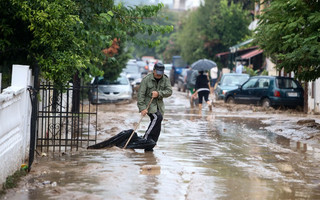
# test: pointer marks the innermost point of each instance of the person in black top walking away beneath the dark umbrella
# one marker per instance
(203, 89)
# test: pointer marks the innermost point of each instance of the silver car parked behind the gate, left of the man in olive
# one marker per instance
(106, 91)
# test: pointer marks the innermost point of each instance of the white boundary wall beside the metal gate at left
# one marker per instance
(15, 116)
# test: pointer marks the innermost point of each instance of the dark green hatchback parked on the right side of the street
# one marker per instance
(268, 91)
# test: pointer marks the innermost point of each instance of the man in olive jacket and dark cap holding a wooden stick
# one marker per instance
(155, 85)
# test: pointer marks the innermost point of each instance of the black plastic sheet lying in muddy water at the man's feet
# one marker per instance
(121, 139)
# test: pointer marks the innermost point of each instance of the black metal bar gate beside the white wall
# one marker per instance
(65, 120)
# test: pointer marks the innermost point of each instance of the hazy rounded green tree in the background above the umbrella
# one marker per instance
(211, 29)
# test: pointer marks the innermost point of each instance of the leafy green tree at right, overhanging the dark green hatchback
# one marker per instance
(289, 31)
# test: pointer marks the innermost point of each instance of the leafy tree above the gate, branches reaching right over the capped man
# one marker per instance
(67, 36)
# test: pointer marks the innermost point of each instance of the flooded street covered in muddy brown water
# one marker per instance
(199, 155)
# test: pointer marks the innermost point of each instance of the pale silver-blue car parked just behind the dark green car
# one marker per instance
(229, 82)
